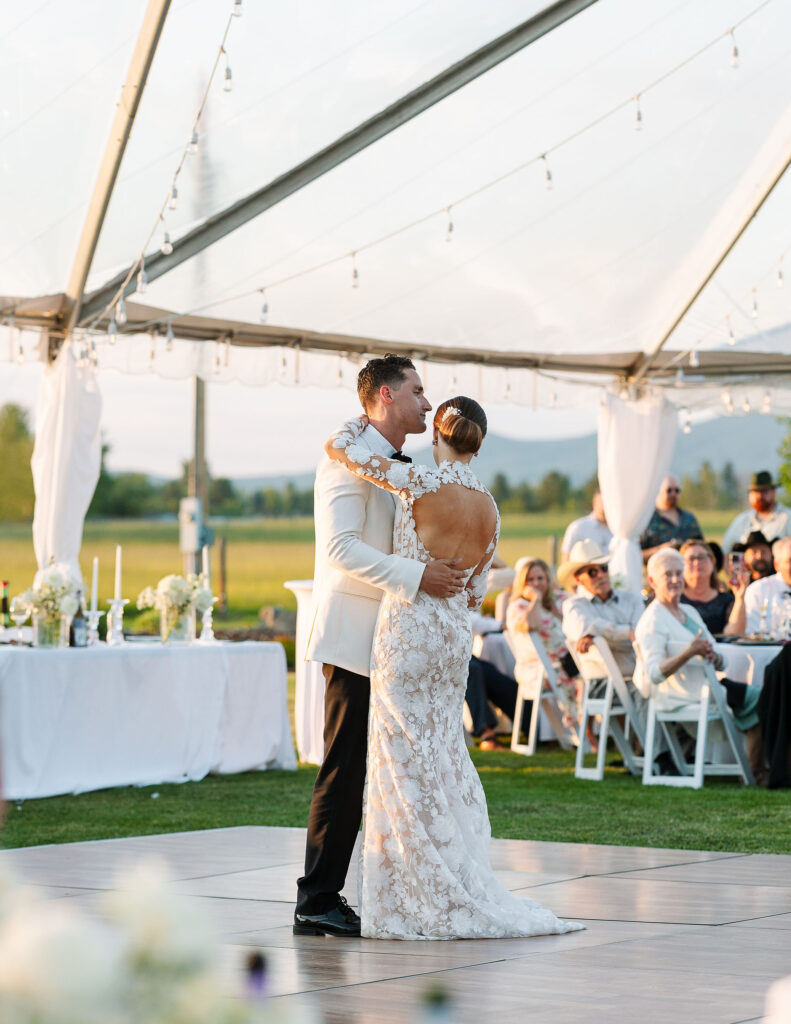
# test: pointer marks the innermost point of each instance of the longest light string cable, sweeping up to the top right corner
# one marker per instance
(442, 211)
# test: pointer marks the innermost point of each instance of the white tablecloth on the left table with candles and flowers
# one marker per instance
(139, 715)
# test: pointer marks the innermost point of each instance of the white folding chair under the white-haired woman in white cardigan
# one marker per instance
(713, 708)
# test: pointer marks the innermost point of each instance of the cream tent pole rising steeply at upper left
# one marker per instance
(127, 112)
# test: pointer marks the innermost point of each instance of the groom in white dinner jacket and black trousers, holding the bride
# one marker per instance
(354, 567)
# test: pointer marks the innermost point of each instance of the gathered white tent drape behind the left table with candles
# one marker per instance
(66, 460)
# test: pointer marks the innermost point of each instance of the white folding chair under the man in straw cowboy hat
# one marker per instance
(614, 703)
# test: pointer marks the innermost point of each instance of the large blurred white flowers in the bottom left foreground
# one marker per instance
(146, 956)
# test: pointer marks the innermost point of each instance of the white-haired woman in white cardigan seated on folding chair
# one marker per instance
(675, 645)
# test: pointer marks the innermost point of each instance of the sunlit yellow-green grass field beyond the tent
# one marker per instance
(262, 554)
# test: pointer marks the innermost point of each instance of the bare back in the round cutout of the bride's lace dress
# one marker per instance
(455, 523)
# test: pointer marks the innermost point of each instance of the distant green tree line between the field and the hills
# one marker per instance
(136, 495)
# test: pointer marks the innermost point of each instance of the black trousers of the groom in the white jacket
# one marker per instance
(337, 808)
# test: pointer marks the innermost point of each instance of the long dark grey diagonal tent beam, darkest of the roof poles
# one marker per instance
(404, 110)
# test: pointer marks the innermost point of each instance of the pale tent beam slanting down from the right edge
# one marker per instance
(767, 170)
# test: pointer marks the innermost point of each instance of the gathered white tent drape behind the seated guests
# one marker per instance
(636, 446)
